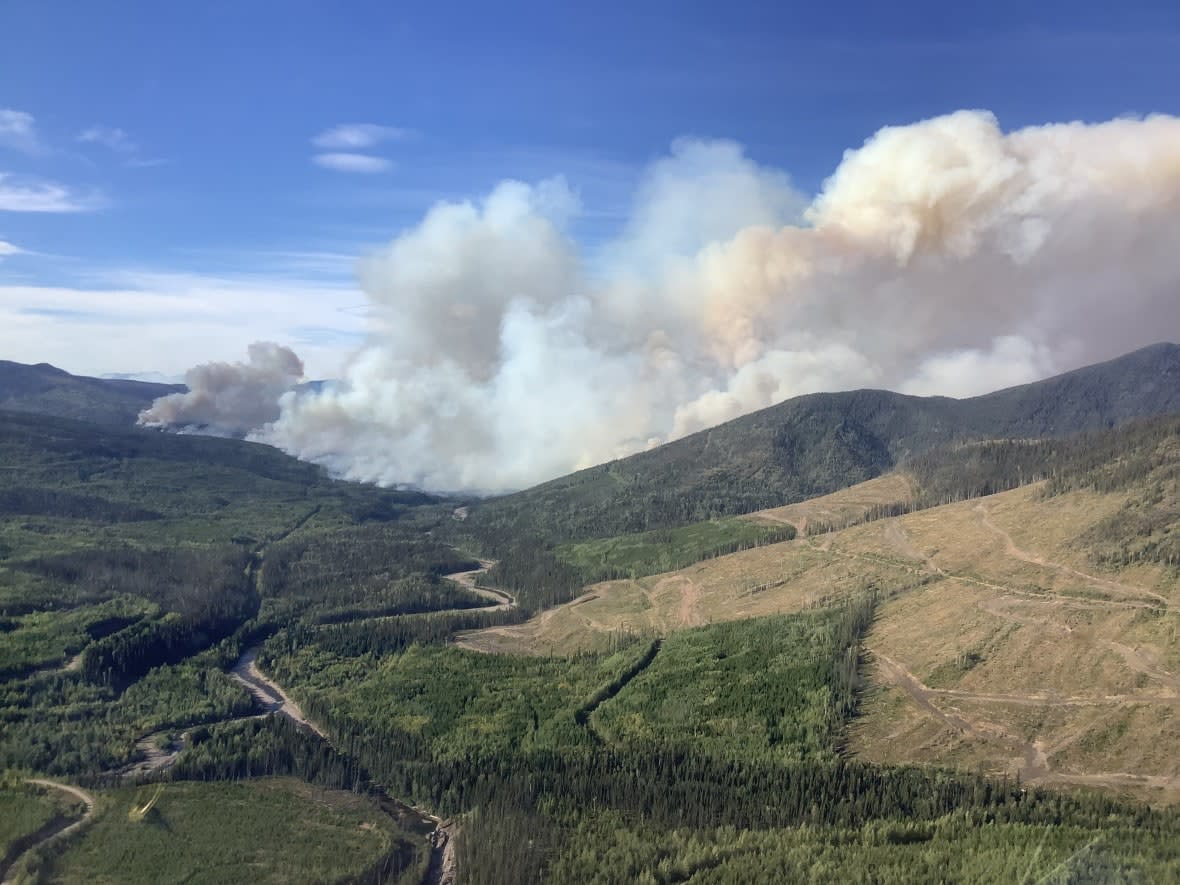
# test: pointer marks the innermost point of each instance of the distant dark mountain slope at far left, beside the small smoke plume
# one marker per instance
(47, 390)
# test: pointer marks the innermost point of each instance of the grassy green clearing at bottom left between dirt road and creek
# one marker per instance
(278, 831)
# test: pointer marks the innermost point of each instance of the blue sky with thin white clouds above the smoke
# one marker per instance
(158, 156)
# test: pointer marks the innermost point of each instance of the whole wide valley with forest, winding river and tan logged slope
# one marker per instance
(965, 663)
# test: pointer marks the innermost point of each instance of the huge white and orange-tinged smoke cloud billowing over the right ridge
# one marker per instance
(941, 258)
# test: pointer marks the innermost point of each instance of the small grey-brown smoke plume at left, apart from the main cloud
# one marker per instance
(231, 398)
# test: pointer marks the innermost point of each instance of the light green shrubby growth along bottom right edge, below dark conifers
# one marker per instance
(609, 849)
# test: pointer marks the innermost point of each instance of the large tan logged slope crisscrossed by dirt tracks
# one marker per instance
(999, 645)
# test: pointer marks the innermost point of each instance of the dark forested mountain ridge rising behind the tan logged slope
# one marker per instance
(816, 444)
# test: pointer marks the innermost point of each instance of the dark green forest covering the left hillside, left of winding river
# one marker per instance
(136, 567)
